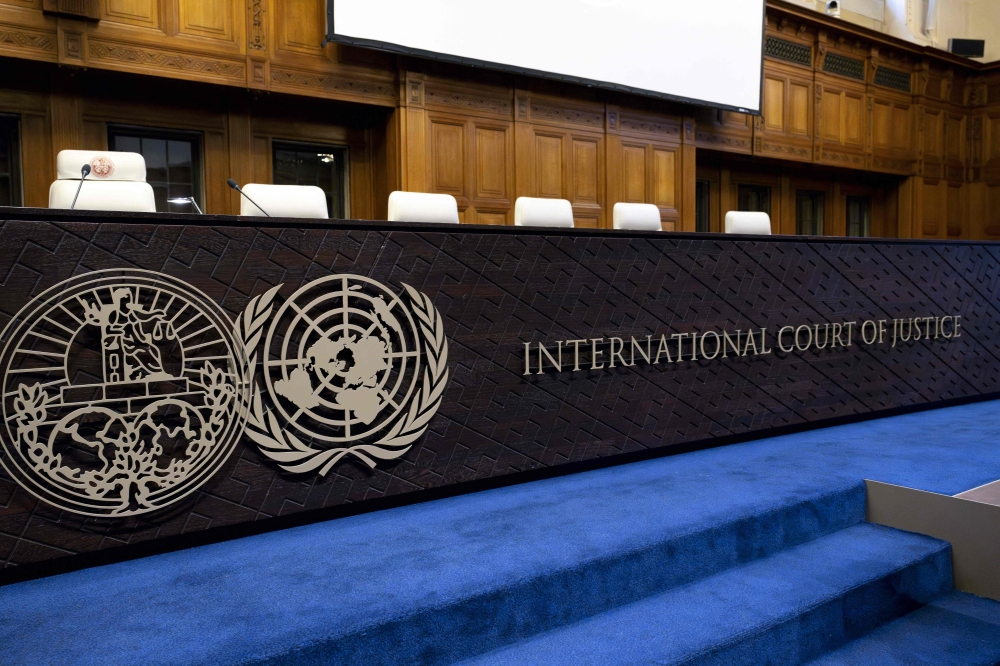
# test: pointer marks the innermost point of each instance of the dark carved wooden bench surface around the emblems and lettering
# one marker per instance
(496, 291)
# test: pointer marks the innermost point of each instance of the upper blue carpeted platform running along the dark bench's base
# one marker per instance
(446, 580)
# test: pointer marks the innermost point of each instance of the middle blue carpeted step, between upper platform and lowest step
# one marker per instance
(785, 609)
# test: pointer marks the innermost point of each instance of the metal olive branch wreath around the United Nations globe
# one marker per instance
(291, 454)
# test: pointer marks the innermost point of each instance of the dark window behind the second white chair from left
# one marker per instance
(322, 166)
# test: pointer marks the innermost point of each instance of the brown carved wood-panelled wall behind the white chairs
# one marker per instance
(847, 112)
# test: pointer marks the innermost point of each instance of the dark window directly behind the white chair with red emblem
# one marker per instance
(173, 163)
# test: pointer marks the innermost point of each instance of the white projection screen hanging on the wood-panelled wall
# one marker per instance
(702, 51)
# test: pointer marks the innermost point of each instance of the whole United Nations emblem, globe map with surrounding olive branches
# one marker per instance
(351, 369)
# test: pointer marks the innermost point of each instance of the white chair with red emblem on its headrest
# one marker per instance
(117, 181)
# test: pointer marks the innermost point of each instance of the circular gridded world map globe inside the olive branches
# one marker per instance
(343, 358)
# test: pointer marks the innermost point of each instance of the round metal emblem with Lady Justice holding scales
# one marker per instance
(124, 391)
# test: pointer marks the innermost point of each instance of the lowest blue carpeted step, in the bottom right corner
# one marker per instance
(956, 630)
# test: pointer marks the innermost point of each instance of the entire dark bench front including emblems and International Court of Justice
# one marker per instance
(170, 379)
